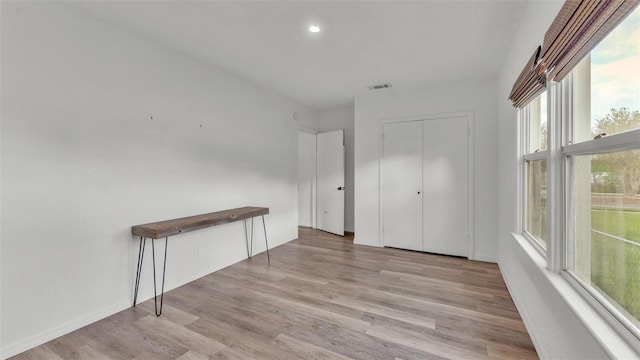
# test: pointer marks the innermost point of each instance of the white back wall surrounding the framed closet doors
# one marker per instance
(477, 96)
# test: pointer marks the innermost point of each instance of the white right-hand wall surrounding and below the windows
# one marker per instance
(560, 323)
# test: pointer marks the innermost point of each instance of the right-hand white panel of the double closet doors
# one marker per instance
(445, 186)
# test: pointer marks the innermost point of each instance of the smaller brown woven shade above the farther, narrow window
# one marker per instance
(531, 82)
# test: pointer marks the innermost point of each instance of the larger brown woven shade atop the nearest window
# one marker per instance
(578, 28)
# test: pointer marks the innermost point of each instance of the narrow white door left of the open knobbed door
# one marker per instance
(306, 178)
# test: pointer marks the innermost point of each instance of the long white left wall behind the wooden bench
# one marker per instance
(83, 160)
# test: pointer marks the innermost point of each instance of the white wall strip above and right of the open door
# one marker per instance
(337, 119)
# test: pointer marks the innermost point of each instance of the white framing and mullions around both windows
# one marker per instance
(559, 154)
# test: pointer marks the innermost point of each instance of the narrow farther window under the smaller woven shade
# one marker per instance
(535, 145)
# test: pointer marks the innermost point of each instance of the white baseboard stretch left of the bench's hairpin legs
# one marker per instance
(48, 335)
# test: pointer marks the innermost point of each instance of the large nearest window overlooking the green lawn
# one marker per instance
(603, 163)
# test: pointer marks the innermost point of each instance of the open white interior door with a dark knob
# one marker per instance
(330, 180)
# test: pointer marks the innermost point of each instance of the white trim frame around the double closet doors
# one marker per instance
(470, 158)
